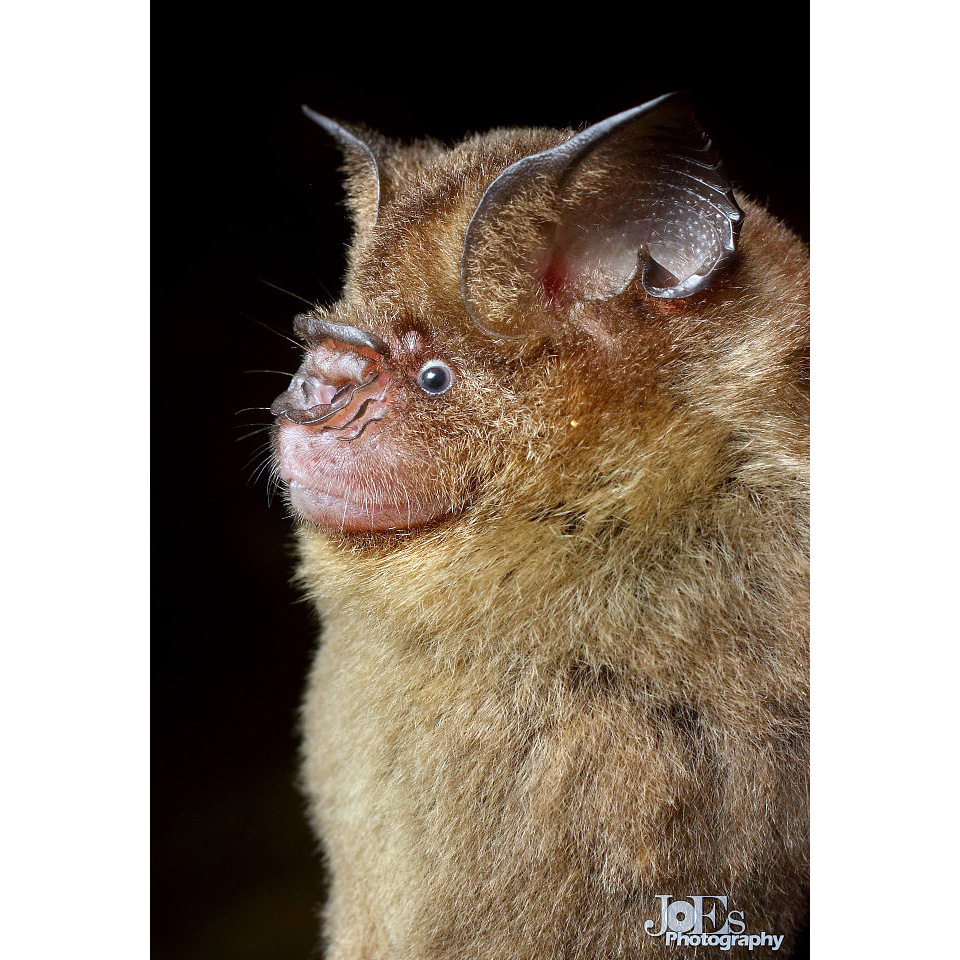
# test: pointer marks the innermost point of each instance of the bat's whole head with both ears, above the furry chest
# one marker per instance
(534, 323)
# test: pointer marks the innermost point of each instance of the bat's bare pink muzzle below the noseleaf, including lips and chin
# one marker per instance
(368, 484)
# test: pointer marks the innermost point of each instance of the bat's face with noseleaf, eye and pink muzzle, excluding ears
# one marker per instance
(371, 435)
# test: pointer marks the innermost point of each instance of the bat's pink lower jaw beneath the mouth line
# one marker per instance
(341, 514)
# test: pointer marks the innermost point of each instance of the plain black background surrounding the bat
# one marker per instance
(245, 194)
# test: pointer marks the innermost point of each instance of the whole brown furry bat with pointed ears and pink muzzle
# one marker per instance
(548, 460)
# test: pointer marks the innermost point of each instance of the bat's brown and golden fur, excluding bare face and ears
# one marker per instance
(587, 685)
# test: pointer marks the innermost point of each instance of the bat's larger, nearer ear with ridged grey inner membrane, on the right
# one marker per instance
(643, 188)
